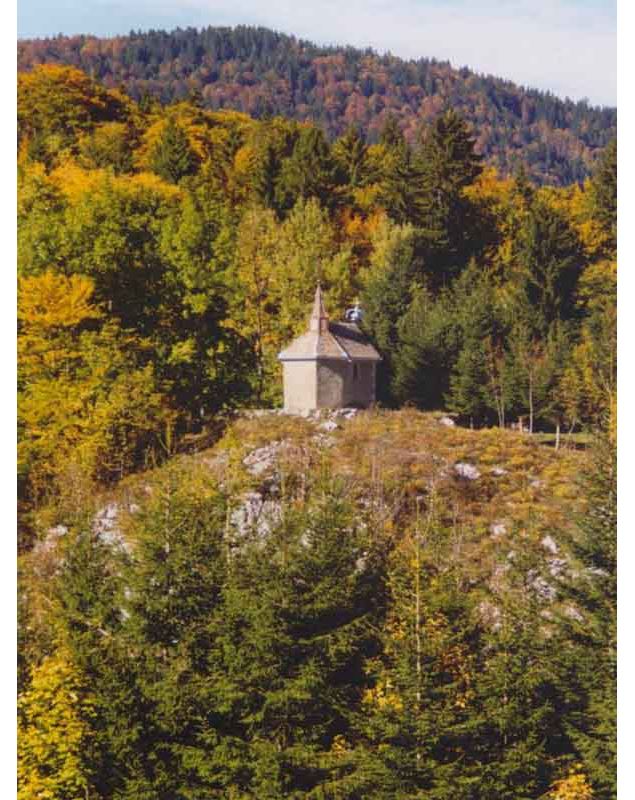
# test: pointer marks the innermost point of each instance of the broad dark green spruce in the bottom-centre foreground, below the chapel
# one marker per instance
(298, 621)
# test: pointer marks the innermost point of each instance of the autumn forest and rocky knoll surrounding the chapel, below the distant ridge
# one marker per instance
(428, 610)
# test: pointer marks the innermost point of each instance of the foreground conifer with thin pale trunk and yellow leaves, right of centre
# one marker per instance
(416, 730)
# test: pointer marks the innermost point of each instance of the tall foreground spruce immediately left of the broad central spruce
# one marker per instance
(173, 586)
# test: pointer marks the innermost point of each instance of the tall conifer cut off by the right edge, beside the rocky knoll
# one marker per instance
(587, 662)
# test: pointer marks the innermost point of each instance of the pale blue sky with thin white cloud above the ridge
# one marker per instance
(565, 46)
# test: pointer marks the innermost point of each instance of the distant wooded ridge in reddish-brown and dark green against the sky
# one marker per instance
(263, 74)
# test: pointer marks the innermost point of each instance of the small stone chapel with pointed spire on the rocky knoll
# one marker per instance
(332, 365)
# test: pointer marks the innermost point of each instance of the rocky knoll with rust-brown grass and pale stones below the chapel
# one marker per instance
(495, 489)
